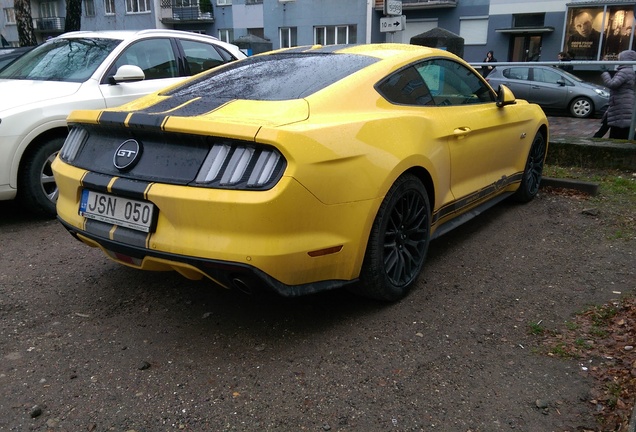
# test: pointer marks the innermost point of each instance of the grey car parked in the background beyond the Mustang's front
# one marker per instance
(553, 89)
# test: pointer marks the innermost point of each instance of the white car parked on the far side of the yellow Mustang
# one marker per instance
(84, 70)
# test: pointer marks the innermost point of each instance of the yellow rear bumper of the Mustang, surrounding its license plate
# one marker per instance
(284, 237)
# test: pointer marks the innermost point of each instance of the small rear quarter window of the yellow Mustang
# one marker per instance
(406, 87)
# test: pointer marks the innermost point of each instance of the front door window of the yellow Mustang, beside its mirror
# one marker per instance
(451, 83)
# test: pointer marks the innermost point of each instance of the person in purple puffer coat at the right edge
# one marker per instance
(621, 103)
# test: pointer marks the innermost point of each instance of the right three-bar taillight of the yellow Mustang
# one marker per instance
(237, 166)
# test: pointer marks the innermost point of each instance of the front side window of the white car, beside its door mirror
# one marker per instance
(154, 56)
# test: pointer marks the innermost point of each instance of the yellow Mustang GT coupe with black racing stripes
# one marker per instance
(300, 170)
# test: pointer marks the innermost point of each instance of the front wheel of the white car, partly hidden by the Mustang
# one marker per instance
(37, 189)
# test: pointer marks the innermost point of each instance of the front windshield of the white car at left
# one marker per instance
(69, 60)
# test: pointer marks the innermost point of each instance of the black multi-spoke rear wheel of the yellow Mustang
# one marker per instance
(398, 242)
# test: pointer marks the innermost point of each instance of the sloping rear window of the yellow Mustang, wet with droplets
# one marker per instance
(274, 77)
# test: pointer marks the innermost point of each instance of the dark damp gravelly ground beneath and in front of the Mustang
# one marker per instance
(87, 345)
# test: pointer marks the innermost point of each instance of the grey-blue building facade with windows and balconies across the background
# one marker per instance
(516, 30)
